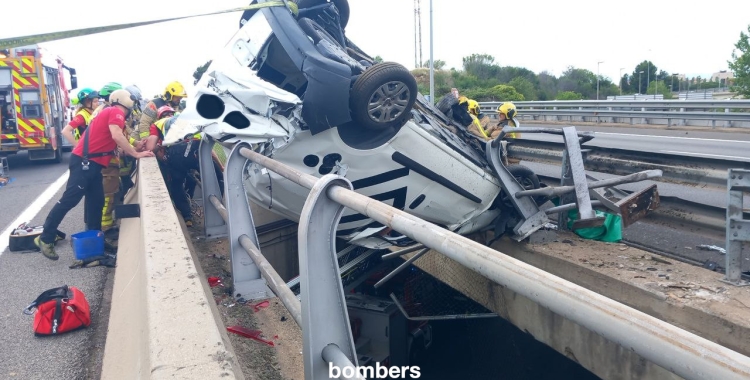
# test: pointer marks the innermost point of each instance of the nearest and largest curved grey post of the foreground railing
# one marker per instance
(325, 319)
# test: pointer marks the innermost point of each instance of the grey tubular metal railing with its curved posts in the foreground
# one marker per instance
(322, 313)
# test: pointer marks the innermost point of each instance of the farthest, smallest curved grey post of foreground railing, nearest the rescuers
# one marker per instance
(213, 224)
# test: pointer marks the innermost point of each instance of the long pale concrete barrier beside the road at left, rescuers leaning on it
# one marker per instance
(162, 323)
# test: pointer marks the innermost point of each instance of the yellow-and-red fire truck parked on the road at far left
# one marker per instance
(34, 103)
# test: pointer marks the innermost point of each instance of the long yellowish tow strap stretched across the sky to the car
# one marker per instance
(6, 43)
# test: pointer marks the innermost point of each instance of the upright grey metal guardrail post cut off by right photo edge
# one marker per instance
(738, 229)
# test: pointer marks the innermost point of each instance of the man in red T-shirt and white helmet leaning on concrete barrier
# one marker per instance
(99, 141)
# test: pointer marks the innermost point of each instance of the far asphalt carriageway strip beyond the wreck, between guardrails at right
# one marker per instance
(701, 144)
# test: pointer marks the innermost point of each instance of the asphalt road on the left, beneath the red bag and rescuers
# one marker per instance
(23, 276)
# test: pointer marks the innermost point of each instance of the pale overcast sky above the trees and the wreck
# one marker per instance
(693, 38)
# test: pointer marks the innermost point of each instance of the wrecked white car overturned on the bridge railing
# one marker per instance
(301, 92)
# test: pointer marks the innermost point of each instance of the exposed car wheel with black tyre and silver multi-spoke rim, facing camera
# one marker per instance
(383, 96)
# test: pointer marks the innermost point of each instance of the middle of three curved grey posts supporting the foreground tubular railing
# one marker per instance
(246, 279)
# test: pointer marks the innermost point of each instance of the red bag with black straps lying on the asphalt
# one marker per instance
(59, 310)
